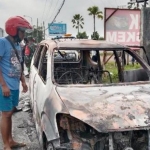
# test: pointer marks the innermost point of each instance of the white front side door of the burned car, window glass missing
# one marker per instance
(41, 91)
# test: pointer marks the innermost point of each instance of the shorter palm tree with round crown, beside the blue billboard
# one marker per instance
(78, 22)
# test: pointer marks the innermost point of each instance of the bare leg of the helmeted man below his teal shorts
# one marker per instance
(6, 125)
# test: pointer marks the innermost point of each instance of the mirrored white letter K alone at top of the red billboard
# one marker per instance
(134, 23)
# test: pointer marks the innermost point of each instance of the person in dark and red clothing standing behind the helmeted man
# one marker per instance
(29, 51)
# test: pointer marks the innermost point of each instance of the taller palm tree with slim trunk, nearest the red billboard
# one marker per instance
(95, 12)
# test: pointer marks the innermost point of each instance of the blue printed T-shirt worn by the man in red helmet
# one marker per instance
(9, 64)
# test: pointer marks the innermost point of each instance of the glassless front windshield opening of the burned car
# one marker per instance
(91, 67)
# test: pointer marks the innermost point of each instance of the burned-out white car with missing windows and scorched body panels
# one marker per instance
(76, 108)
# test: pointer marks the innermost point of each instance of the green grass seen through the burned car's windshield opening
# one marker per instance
(114, 71)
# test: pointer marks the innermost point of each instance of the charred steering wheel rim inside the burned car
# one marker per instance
(71, 77)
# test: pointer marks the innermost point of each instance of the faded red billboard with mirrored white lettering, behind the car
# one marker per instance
(122, 26)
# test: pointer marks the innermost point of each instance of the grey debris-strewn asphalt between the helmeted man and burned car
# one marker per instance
(23, 126)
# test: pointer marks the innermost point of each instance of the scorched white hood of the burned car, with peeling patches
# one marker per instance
(109, 108)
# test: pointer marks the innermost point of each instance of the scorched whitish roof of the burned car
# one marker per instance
(84, 44)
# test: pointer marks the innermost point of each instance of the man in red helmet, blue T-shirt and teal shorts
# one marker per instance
(10, 76)
